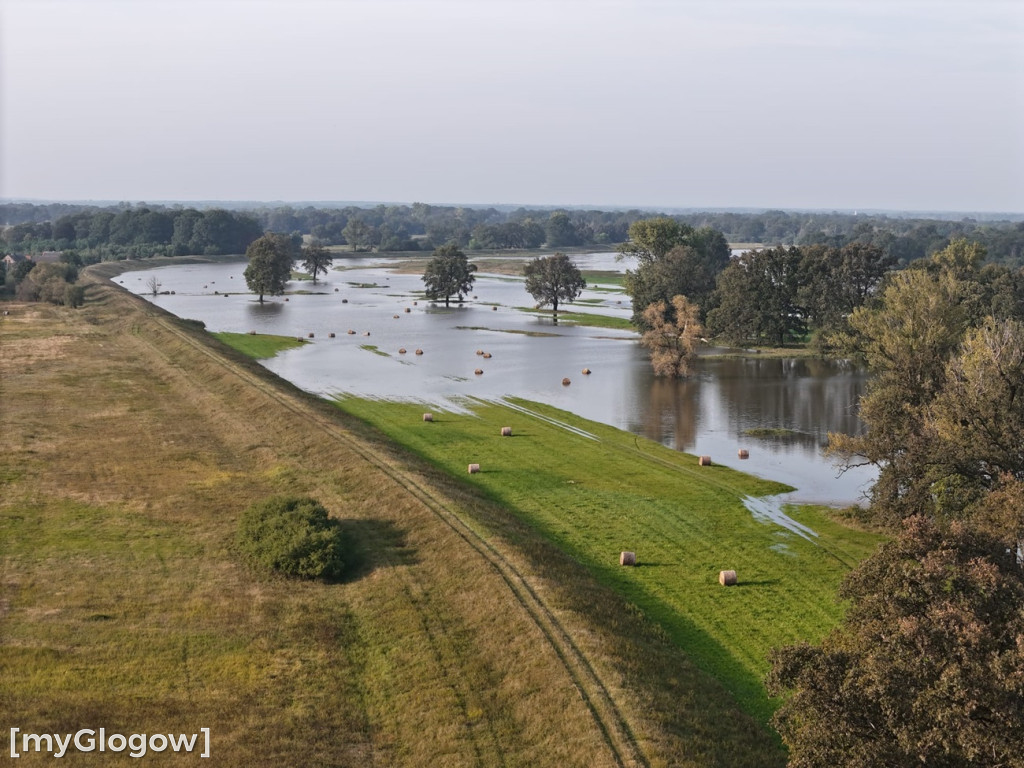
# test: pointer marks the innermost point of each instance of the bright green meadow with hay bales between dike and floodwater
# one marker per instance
(595, 491)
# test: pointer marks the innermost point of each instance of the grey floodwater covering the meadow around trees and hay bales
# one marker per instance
(707, 414)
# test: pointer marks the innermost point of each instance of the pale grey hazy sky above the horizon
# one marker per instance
(816, 104)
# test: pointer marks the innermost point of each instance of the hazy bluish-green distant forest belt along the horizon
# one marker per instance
(126, 231)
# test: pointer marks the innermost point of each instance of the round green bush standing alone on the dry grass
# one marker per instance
(292, 536)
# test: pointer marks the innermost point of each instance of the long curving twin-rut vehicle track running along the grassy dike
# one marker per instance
(609, 718)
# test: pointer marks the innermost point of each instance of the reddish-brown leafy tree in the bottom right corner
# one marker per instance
(928, 666)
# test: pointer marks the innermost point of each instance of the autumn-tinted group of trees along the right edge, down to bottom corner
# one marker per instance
(928, 666)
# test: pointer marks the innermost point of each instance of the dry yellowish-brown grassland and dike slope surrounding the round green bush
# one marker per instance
(461, 637)
